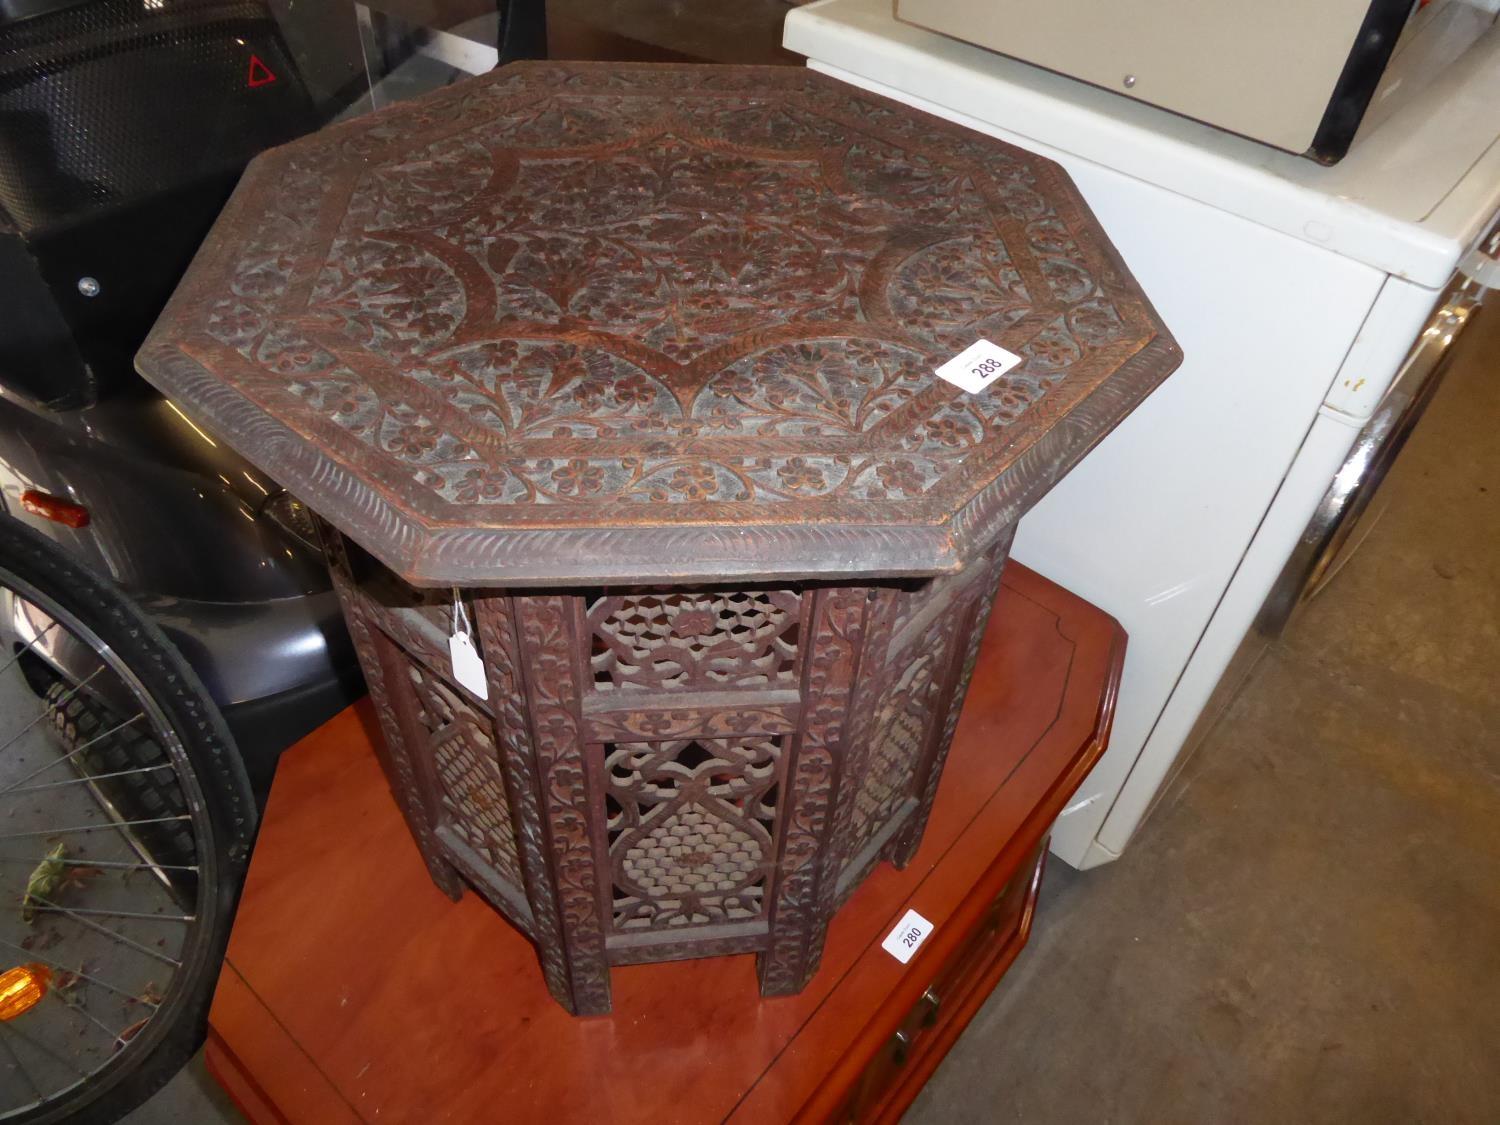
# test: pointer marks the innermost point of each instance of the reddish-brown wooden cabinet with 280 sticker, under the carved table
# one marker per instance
(356, 992)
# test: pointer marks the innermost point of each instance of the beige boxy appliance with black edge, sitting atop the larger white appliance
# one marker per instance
(1216, 59)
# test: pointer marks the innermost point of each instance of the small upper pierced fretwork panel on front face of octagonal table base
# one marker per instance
(695, 641)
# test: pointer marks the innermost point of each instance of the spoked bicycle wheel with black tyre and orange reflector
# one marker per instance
(125, 827)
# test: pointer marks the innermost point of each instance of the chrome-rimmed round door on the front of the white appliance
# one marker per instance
(1345, 515)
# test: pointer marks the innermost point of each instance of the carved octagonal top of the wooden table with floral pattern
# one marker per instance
(598, 322)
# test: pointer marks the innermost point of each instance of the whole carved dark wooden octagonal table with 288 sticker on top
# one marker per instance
(635, 367)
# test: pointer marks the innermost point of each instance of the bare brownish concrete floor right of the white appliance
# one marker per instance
(1309, 928)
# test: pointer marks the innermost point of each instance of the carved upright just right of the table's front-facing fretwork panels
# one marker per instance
(799, 913)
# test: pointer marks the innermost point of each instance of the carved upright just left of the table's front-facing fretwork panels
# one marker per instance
(553, 671)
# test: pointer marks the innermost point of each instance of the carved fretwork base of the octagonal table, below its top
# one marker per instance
(670, 773)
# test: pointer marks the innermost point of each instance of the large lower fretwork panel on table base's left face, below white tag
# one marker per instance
(467, 772)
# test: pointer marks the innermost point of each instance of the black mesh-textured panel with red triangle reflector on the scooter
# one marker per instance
(113, 101)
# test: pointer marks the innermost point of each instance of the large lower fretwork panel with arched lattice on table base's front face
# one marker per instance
(692, 830)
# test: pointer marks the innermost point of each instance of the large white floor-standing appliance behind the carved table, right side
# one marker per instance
(1297, 293)
